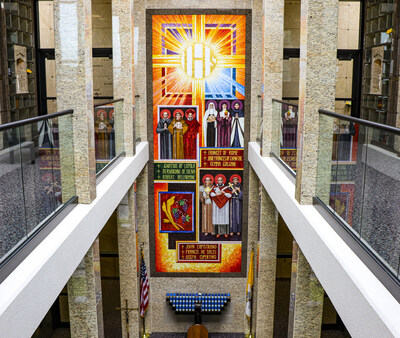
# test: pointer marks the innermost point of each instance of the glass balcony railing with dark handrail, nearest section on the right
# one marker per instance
(359, 183)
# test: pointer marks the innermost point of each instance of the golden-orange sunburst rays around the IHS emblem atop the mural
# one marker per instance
(176, 35)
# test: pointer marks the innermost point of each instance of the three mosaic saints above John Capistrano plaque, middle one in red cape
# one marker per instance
(221, 205)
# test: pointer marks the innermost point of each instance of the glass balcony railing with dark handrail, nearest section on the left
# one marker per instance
(33, 188)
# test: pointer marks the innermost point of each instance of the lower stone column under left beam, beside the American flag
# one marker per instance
(127, 252)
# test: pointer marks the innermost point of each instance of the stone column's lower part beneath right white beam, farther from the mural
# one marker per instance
(308, 301)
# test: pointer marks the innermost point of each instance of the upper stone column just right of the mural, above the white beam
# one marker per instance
(272, 65)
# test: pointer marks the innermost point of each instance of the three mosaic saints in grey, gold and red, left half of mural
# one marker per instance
(178, 137)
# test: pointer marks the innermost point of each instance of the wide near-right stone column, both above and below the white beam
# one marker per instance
(318, 60)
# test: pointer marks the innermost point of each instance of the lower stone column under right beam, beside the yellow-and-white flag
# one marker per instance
(267, 266)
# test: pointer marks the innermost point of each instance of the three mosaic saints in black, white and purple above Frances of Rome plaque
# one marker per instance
(224, 128)
